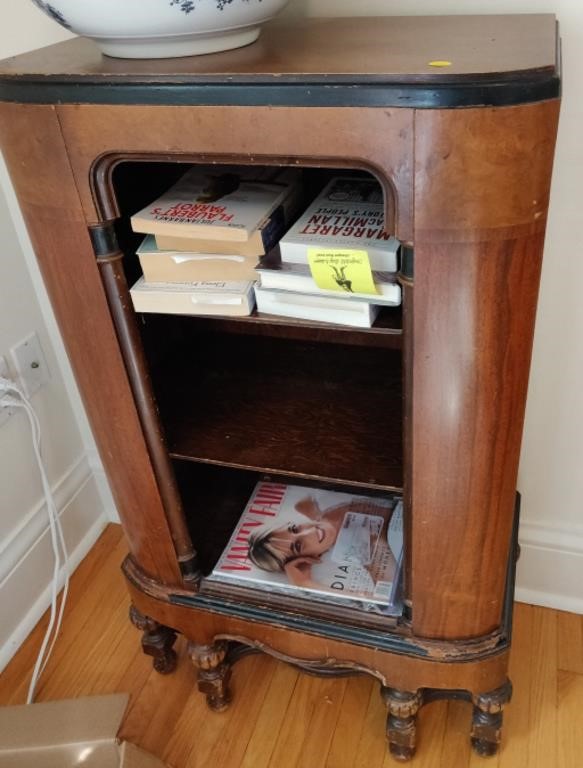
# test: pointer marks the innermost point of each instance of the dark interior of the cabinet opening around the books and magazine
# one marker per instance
(240, 399)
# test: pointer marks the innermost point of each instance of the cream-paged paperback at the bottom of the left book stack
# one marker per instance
(200, 298)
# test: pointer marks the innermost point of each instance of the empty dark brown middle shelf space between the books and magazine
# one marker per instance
(245, 402)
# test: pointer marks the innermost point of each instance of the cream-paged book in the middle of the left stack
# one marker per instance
(182, 267)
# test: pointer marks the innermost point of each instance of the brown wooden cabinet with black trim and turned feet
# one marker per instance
(189, 412)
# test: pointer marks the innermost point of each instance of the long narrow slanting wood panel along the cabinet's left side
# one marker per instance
(39, 168)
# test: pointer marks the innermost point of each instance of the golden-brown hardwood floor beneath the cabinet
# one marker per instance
(282, 719)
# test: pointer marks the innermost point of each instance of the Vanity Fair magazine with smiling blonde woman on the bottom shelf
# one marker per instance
(319, 544)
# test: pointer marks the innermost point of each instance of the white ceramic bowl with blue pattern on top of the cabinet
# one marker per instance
(154, 29)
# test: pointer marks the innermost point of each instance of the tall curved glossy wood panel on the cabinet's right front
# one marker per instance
(473, 338)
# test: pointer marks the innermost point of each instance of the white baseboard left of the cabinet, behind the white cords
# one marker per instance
(26, 557)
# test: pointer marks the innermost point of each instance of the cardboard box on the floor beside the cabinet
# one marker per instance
(69, 733)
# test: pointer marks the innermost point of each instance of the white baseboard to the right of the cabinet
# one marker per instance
(550, 568)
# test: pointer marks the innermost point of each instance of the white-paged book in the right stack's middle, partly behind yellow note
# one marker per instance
(277, 275)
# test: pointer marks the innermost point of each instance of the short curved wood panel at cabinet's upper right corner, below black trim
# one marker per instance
(483, 175)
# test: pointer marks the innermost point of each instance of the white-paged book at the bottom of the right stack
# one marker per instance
(325, 309)
